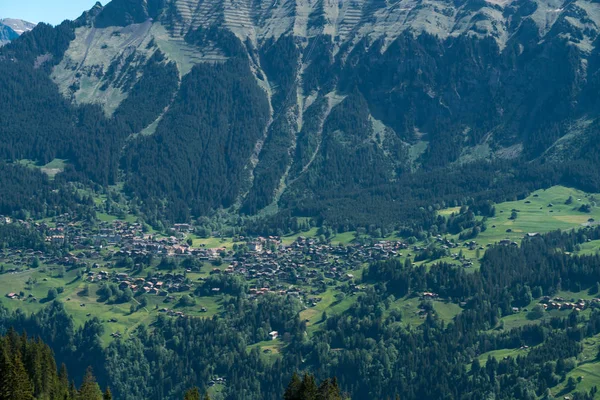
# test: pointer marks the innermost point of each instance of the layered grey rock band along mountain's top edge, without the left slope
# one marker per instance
(352, 20)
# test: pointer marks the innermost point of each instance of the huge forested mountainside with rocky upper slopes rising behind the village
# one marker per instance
(331, 109)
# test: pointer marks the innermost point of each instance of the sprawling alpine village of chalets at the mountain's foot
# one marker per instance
(121, 254)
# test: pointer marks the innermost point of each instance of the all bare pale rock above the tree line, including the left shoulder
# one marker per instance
(120, 33)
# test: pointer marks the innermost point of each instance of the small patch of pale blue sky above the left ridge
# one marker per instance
(50, 11)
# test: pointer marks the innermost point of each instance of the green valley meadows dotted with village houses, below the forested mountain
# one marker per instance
(125, 275)
